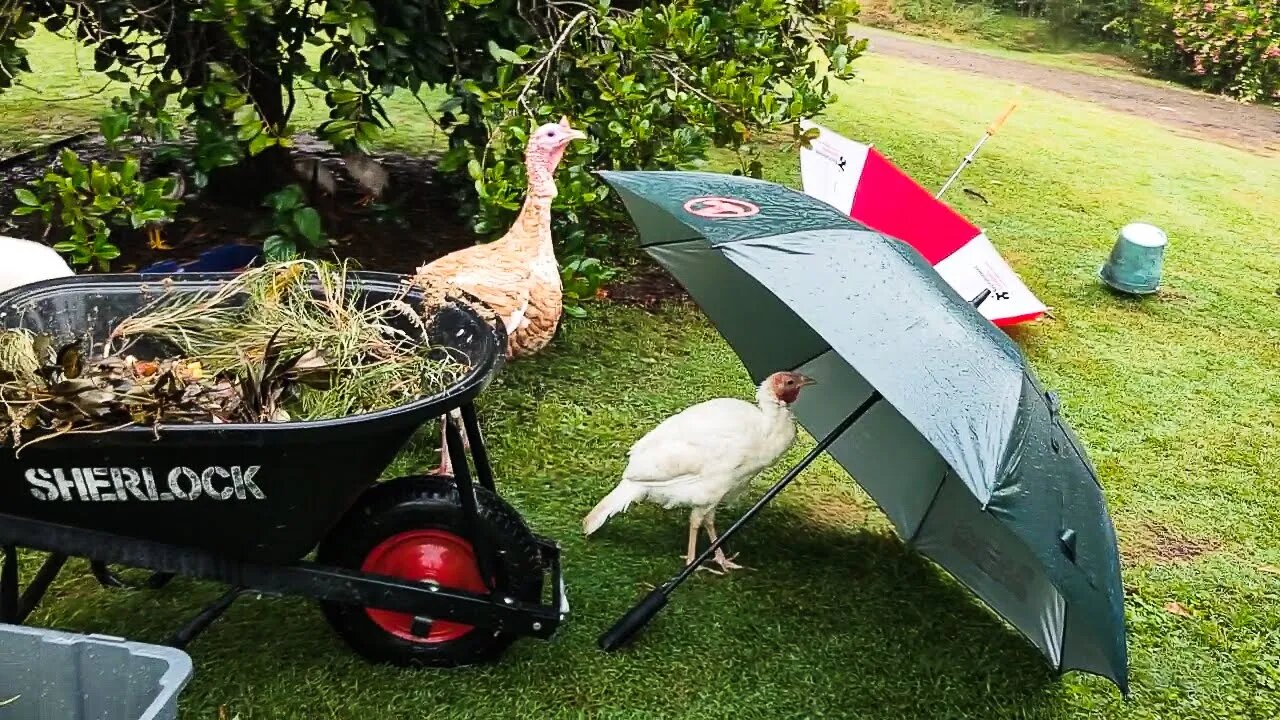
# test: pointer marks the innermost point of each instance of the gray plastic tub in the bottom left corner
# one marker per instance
(56, 676)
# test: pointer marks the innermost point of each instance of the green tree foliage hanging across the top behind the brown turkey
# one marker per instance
(657, 84)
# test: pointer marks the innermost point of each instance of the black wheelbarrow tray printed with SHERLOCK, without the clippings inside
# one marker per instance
(262, 493)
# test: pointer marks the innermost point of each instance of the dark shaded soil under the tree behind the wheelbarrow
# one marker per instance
(415, 222)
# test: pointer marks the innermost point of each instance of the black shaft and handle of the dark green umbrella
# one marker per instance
(647, 609)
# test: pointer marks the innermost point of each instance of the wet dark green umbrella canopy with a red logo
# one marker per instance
(963, 449)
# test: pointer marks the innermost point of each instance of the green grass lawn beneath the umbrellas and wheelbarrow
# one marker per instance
(1177, 399)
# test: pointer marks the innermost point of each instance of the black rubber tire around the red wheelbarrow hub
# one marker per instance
(429, 503)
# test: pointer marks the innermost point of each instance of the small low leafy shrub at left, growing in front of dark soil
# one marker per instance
(83, 204)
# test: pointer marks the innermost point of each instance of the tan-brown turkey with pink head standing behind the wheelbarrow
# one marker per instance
(518, 276)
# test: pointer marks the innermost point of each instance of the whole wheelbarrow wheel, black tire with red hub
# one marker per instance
(415, 528)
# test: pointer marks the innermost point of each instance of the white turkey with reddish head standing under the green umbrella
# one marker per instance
(707, 455)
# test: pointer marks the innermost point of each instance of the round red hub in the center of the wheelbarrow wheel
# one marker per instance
(440, 557)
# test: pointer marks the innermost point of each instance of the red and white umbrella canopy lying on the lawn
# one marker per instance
(860, 181)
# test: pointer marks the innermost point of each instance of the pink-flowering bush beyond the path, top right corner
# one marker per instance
(1229, 47)
